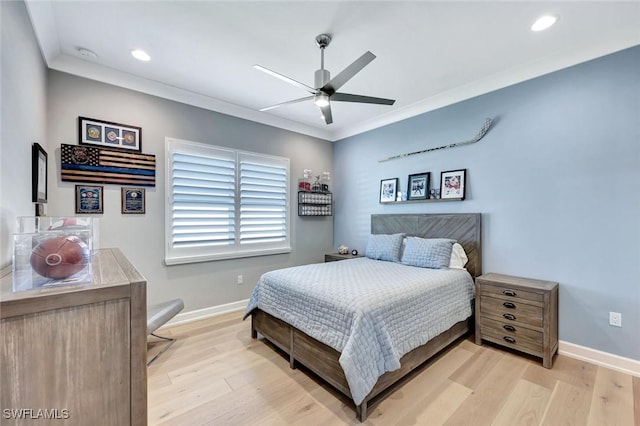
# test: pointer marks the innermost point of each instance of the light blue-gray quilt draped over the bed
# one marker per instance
(371, 311)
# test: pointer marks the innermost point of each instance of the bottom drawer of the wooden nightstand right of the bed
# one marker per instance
(514, 336)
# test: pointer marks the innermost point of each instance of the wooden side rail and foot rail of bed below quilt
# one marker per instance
(324, 360)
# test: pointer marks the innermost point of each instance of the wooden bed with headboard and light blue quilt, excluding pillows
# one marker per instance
(360, 352)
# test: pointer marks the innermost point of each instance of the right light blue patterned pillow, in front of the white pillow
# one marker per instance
(432, 253)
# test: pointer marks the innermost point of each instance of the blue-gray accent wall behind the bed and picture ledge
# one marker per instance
(557, 180)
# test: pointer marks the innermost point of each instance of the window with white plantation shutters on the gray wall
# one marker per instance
(224, 203)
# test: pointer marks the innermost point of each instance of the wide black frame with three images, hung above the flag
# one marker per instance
(110, 135)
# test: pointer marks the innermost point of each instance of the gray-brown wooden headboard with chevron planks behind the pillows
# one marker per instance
(462, 227)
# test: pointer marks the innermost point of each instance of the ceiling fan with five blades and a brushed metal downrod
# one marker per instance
(326, 88)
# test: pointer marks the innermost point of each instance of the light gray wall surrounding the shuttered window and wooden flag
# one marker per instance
(141, 237)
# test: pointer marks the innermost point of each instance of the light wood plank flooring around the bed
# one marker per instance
(215, 374)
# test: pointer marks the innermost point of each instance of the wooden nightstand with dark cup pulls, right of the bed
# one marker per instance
(519, 313)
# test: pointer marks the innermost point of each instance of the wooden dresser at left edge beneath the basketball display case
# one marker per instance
(78, 352)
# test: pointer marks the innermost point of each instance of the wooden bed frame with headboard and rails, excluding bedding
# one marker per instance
(323, 360)
